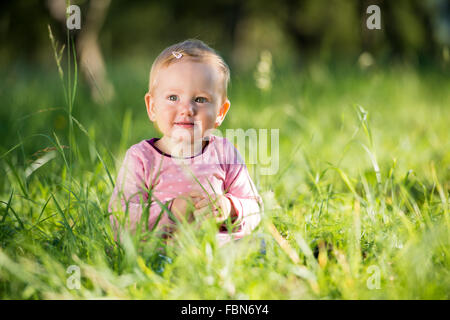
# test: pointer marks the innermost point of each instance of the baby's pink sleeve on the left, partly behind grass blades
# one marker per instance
(131, 193)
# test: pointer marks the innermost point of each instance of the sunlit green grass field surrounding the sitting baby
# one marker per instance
(359, 208)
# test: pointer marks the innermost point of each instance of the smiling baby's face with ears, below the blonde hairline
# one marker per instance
(187, 100)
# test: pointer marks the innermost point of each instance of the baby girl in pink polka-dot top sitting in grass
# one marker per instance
(189, 173)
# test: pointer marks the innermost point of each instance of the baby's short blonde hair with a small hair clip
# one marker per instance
(193, 49)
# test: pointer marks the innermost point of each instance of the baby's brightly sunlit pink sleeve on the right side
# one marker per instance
(244, 197)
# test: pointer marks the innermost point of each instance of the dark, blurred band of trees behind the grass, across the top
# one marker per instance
(291, 29)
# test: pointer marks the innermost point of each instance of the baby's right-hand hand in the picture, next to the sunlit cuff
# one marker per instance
(219, 204)
